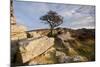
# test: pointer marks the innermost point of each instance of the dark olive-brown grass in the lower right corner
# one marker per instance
(87, 49)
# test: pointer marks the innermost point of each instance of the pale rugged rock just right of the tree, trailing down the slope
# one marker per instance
(67, 41)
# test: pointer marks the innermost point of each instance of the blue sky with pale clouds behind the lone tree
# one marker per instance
(75, 16)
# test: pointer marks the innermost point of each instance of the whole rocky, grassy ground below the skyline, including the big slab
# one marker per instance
(66, 46)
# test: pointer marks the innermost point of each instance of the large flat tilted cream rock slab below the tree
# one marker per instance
(35, 47)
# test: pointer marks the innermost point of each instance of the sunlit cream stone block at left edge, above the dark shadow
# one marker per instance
(18, 32)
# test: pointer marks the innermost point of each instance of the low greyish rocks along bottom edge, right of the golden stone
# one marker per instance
(63, 58)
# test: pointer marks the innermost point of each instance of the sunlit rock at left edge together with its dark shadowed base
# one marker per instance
(17, 33)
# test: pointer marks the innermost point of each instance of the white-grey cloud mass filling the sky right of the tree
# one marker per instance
(79, 17)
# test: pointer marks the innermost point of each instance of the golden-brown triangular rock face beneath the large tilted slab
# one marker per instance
(47, 57)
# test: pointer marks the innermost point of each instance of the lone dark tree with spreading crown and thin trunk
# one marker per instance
(53, 19)
